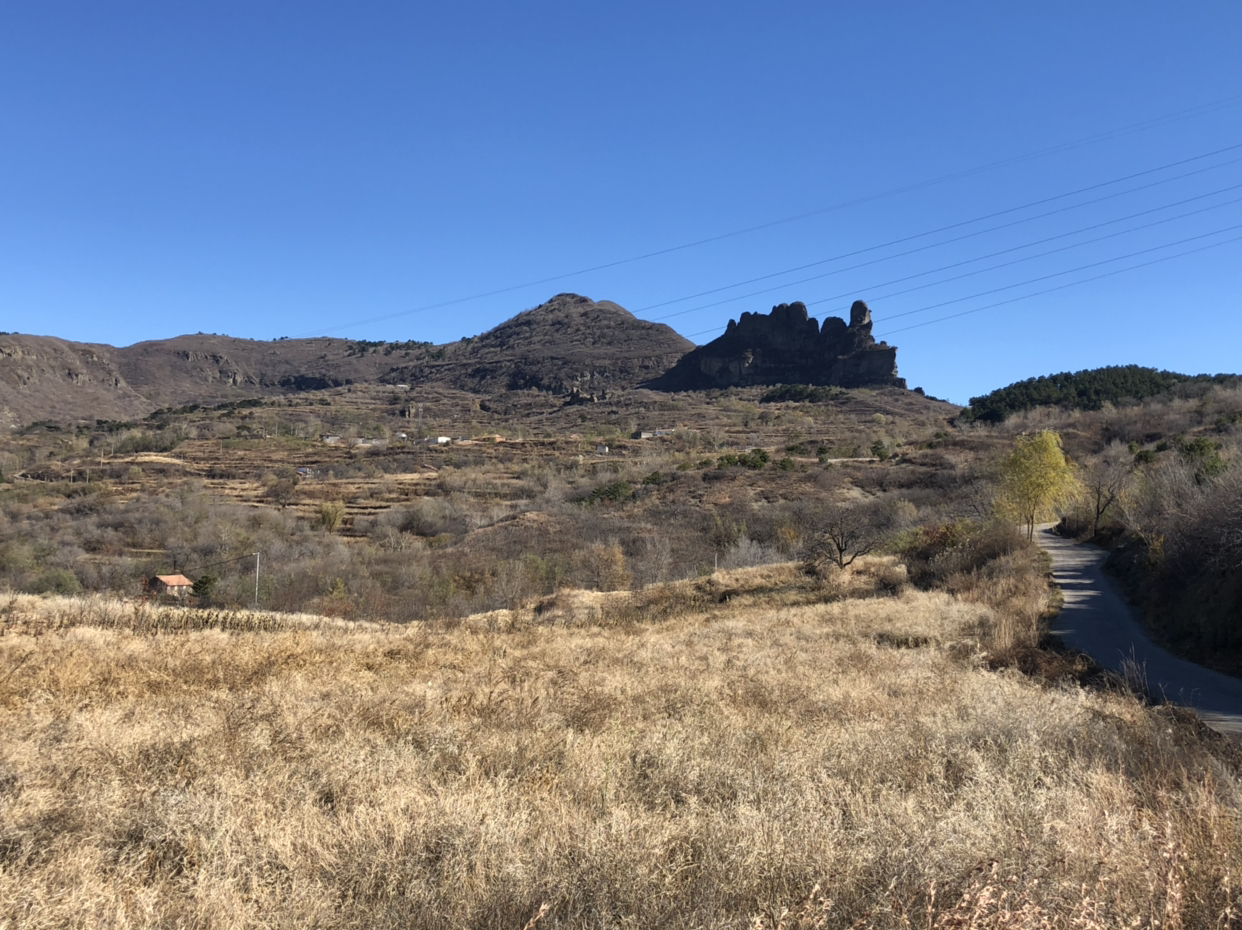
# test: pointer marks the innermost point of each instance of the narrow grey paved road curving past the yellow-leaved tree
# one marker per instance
(1099, 621)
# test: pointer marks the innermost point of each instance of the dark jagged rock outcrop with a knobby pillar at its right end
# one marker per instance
(789, 347)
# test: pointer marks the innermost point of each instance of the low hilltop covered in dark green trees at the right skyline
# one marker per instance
(1089, 389)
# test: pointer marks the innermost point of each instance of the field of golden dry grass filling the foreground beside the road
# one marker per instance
(807, 764)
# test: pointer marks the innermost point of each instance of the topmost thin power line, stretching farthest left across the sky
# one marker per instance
(1224, 104)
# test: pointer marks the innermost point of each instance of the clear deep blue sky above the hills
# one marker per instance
(268, 169)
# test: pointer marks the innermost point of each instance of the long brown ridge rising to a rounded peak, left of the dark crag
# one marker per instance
(568, 346)
